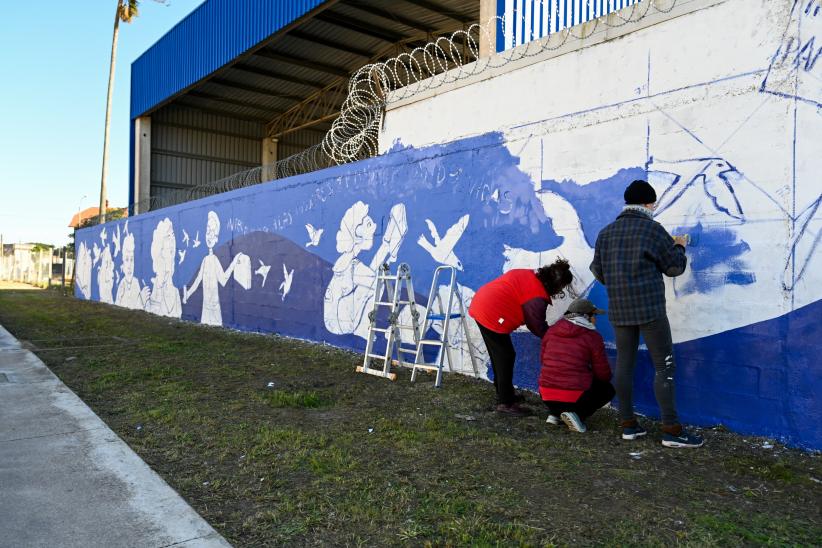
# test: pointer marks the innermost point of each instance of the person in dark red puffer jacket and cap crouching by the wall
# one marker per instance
(575, 378)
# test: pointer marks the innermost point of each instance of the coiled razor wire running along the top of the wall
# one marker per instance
(354, 134)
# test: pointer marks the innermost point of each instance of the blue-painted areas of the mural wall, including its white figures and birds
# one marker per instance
(266, 267)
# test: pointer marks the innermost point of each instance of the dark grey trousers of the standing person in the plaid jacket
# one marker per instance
(657, 335)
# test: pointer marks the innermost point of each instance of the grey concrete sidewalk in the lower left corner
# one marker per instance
(67, 480)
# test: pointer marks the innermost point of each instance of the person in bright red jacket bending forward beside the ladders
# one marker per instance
(518, 297)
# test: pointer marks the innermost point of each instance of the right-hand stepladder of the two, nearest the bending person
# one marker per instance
(444, 314)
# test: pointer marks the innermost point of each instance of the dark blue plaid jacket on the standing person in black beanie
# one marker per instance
(630, 258)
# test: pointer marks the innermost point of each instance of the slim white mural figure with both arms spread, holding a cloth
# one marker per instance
(211, 274)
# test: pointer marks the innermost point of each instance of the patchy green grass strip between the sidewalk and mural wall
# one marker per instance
(326, 456)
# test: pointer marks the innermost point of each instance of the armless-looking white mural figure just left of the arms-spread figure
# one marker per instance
(163, 298)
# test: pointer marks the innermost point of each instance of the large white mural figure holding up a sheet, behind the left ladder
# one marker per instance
(350, 293)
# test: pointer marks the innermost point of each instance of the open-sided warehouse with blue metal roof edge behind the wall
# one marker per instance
(242, 83)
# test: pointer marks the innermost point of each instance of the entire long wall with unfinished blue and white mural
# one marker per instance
(731, 145)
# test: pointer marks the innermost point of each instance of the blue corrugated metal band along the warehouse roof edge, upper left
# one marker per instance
(209, 37)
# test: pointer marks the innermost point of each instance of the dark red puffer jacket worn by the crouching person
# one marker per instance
(571, 357)
